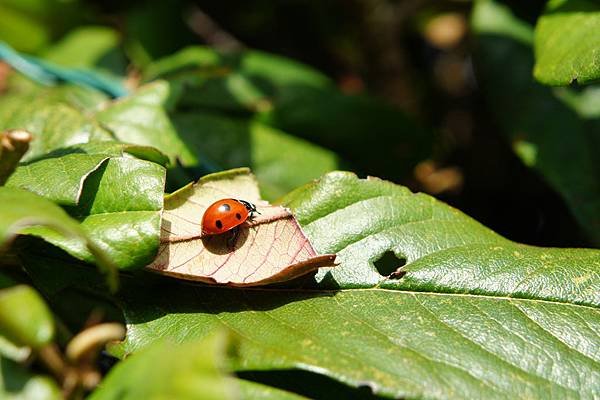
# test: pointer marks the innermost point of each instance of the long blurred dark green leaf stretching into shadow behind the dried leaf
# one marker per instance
(298, 100)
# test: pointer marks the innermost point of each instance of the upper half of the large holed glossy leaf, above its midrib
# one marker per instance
(443, 249)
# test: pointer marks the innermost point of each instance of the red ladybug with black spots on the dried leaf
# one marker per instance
(226, 214)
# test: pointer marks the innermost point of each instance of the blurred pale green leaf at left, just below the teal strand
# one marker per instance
(67, 115)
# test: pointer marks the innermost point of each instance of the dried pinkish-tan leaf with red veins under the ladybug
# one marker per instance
(271, 248)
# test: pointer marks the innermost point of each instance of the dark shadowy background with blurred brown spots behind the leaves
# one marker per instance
(399, 51)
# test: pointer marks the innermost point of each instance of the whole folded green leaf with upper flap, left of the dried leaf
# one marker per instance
(117, 198)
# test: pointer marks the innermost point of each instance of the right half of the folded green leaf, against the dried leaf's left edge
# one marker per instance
(120, 210)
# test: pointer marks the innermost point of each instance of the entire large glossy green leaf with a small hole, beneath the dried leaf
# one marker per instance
(474, 315)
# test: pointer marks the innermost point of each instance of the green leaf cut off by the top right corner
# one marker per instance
(567, 38)
